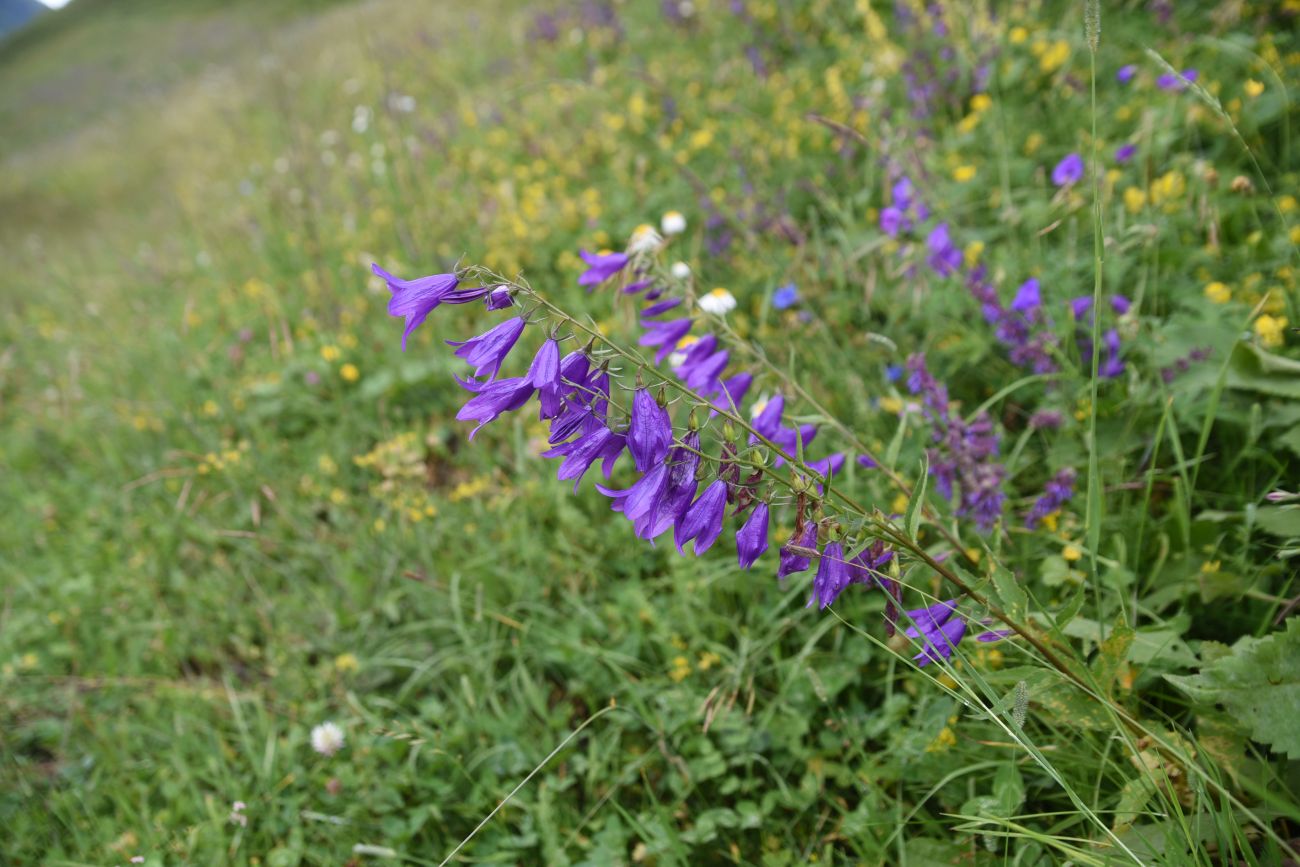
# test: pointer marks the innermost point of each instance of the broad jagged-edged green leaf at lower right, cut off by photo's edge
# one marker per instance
(1259, 686)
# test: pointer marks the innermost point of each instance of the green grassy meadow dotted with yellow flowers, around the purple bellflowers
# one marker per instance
(197, 569)
